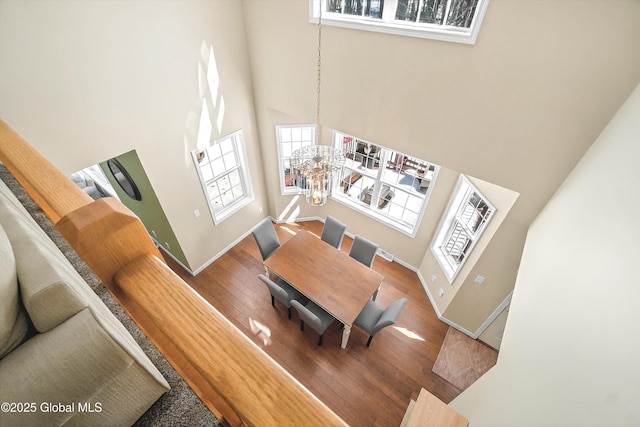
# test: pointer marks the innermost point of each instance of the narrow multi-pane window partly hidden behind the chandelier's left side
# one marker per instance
(289, 139)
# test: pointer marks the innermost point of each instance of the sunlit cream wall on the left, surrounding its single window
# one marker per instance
(85, 81)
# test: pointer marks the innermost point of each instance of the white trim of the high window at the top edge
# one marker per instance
(409, 29)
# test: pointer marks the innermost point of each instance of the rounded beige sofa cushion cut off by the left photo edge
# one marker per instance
(14, 324)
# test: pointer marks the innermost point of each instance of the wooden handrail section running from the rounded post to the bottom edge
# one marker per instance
(260, 393)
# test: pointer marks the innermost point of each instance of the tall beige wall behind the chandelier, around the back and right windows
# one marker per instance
(516, 110)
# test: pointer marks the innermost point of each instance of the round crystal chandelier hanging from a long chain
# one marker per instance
(314, 166)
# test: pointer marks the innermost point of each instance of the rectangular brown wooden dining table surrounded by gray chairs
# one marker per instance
(332, 279)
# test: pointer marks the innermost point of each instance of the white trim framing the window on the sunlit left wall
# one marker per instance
(226, 212)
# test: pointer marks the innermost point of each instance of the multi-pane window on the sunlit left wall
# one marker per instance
(223, 173)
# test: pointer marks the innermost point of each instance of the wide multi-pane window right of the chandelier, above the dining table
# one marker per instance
(383, 183)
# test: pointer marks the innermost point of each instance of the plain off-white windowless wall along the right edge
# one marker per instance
(569, 356)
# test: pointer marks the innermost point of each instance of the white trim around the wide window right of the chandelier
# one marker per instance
(337, 195)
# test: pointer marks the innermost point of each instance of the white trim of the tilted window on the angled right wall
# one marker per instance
(452, 271)
